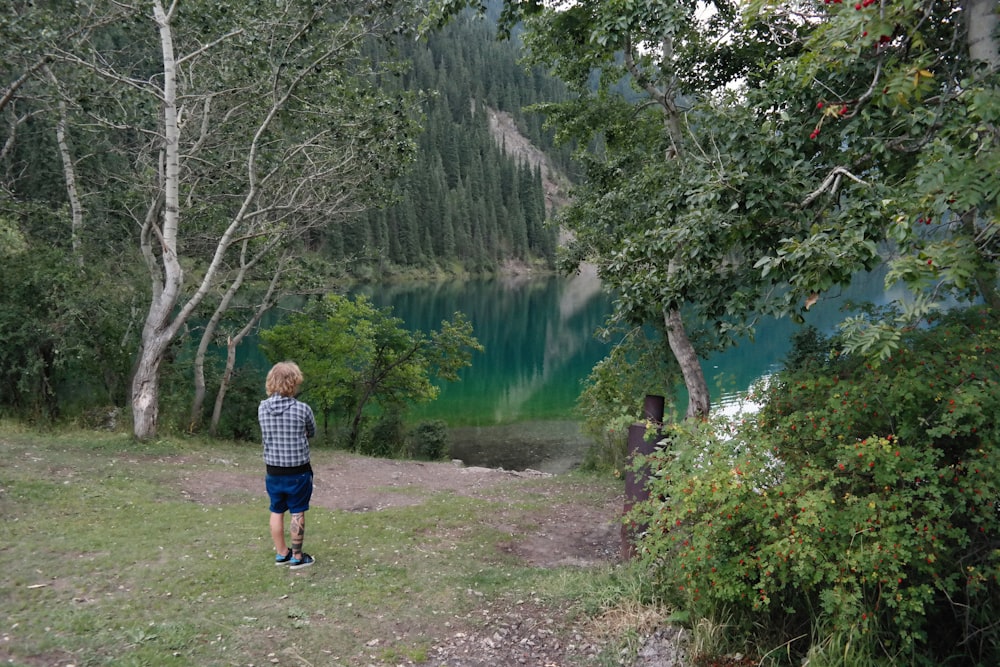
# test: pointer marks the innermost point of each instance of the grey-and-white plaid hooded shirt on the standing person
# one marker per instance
(286, 424)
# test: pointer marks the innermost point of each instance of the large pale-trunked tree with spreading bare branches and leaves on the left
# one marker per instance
(246, 126)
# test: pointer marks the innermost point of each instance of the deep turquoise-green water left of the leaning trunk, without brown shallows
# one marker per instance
(538, 336)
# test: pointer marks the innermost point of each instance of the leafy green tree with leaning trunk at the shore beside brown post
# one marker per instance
(662, 209)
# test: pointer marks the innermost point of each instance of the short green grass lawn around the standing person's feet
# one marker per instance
(109, 557)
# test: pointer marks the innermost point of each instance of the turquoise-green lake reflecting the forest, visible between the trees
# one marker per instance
(514, 407)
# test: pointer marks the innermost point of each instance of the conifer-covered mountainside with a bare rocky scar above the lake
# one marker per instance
(486, 172)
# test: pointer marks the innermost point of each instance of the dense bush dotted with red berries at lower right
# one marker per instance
(858, 510)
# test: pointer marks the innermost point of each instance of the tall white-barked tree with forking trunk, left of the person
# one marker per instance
(251, 174)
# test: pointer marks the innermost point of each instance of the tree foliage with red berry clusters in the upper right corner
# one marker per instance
(904, 102)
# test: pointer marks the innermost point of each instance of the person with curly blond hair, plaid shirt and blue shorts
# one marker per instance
(286, 424)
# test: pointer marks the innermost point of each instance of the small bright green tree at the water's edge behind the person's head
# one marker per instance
(356, 356)
